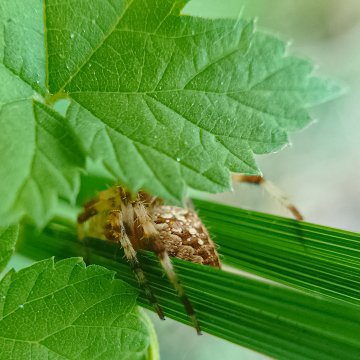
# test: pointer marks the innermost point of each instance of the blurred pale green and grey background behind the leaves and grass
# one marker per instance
(320, 171)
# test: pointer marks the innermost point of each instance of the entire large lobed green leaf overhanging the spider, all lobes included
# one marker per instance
(167, 101)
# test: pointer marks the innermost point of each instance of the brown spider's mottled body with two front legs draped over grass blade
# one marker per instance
(143, 222)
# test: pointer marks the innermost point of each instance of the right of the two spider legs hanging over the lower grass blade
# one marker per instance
(152, 242)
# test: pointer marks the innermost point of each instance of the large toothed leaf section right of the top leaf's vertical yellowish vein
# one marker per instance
(170, 101)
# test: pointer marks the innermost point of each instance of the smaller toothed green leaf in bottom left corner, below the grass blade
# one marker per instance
(64, 310)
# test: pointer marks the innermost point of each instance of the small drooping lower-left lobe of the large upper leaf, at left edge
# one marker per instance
(40, 157)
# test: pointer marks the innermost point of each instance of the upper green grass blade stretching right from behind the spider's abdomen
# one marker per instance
(298, 254)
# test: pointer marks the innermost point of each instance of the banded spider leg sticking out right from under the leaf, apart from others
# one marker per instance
(272, 190)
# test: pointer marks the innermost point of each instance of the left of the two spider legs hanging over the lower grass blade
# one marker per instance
(116, 232)
